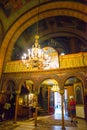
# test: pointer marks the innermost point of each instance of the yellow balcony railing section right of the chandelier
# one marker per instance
(73, 60)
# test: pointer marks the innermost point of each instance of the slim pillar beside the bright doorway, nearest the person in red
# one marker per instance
(62, 99)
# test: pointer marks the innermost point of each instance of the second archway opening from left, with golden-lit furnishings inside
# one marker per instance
(25, 99)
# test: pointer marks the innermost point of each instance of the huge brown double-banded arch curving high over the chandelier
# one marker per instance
(46, 10)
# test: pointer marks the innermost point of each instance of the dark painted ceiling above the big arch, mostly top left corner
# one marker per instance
(11, 6)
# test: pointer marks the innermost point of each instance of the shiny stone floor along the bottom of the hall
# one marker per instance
(30, 125)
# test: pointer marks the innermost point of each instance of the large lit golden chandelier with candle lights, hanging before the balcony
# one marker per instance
(36, 57)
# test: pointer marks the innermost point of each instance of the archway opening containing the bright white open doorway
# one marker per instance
(49, 99)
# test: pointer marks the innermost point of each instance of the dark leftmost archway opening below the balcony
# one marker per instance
(9, 100)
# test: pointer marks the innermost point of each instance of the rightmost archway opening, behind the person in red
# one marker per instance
(74, 88)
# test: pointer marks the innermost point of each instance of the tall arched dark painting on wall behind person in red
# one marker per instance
(78, 93)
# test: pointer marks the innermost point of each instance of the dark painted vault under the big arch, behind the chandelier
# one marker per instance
(57, 29)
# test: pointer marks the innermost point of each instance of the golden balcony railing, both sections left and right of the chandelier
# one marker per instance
(65, 61)
